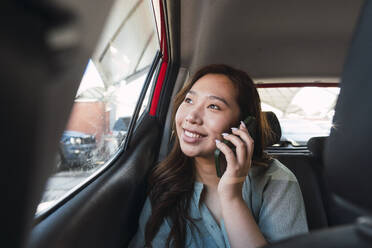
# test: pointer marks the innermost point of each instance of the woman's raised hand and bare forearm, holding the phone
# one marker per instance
(240, 224)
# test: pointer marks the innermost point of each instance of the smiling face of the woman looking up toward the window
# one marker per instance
(209, 109)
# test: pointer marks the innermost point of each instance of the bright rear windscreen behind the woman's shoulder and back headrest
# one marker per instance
(303, 112)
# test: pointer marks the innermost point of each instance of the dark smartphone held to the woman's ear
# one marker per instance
(219, 157)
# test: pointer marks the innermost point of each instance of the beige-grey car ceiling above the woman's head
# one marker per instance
(274, 41)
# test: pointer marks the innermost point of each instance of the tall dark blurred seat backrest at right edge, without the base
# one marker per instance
(348, 148)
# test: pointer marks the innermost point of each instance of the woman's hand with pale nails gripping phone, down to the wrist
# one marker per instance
(238, 165)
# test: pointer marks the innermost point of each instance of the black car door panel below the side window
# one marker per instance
(104, 214)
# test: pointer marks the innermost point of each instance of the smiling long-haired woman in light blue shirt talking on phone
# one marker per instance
(257, 200)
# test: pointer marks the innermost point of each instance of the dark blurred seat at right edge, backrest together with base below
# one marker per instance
(347, 158)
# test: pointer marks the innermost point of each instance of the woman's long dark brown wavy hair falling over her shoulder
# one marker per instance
(171, 183)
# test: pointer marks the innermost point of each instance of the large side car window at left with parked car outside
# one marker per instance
(106, 98)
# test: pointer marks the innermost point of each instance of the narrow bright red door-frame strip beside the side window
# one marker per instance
(164, 65)
